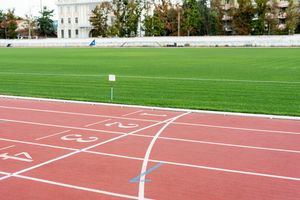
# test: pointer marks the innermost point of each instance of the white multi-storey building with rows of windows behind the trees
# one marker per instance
(73, 18)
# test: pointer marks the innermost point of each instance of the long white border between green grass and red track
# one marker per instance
(156, 108)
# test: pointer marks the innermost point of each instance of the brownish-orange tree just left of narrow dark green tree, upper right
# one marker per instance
(242, 17)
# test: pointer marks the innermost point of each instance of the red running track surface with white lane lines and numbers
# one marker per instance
(64, 151)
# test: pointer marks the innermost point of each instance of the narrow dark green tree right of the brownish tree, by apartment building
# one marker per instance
(261, 12)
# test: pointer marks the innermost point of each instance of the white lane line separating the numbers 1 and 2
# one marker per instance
(74, 113)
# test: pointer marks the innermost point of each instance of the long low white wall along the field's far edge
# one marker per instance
(220, 41)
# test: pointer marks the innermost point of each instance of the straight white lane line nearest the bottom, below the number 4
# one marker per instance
(76, 187)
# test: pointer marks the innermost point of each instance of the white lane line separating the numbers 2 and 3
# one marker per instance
(66, 127)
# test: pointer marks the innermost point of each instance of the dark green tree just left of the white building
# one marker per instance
(45, 22)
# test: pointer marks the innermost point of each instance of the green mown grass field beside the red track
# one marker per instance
(254, 80)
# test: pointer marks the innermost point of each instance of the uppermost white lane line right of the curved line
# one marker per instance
(238, 128)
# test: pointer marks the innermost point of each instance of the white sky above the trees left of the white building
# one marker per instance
(23, 7)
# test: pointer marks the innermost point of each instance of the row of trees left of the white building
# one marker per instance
(33, 26)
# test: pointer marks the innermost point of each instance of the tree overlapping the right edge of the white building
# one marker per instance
(99, 19)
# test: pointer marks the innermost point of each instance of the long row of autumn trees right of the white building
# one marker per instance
(127, 18)
